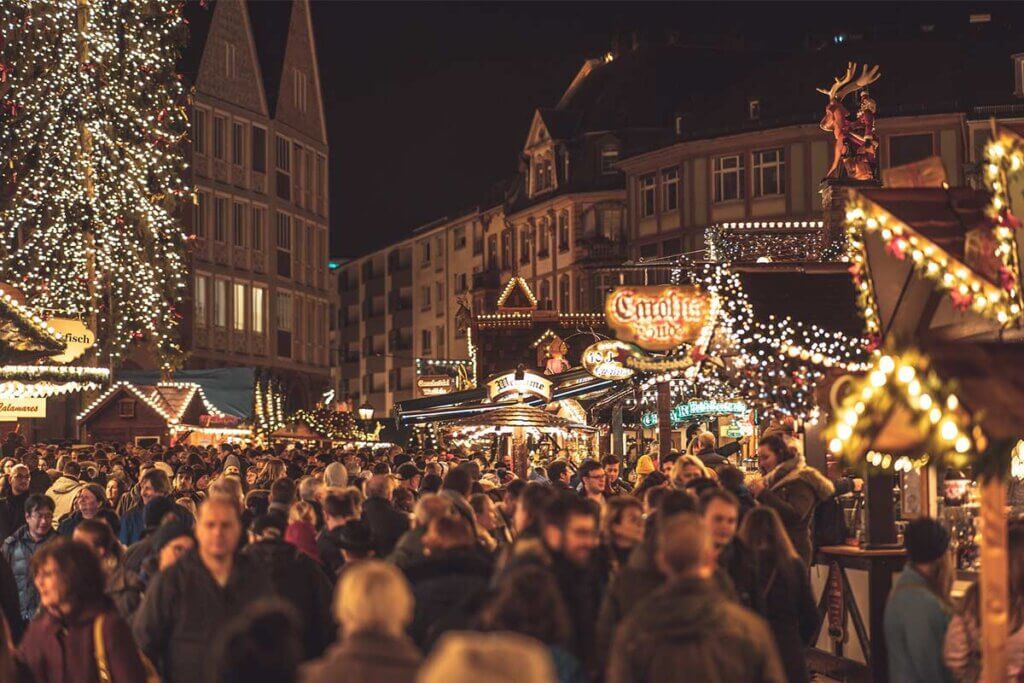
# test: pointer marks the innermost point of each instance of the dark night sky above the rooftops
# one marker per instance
(429, 104)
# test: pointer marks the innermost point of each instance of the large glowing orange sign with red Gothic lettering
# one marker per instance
(658, 318)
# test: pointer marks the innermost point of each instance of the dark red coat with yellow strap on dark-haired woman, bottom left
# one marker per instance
(73, 658)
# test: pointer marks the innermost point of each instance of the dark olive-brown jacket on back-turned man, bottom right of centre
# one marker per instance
(687, 626)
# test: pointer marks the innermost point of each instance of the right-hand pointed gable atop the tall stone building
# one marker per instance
(298, 102)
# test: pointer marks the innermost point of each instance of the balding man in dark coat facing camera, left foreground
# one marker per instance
(188, 605)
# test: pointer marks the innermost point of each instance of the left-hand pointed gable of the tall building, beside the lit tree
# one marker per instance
(229, 69)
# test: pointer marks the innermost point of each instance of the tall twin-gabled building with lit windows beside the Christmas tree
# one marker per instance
(261, 292)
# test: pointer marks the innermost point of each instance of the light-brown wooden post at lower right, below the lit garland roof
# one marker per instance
(995, 581)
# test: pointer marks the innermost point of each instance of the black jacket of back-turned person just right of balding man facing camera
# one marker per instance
(303, 583)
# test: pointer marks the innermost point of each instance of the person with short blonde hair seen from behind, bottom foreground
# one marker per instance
(373, 605)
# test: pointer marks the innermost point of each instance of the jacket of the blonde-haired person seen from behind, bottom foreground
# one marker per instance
(366, 658)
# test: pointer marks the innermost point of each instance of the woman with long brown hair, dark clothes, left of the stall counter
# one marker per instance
(785, 589)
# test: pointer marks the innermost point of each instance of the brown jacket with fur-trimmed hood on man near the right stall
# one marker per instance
(794, 491)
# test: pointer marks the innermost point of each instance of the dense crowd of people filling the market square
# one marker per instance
(183, 565)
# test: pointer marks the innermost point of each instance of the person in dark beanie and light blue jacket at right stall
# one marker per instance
(918, 612)
